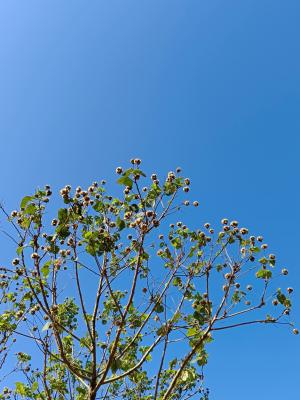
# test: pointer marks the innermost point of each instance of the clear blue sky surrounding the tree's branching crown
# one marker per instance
(213, 86)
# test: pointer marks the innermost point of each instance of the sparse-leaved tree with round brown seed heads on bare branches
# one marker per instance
(117, 303)
